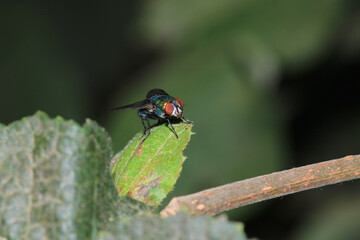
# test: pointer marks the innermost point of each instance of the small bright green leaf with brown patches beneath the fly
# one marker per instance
(147, 170)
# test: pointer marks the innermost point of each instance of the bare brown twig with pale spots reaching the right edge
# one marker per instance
(216, 200)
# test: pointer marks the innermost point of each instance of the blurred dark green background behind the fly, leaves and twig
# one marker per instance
(269, 85)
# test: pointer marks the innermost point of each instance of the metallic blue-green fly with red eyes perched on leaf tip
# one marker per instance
(158, 105)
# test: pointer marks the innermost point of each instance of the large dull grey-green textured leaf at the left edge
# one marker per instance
(54, 179)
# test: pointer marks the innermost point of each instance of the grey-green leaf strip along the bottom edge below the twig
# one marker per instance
(181, 227)
